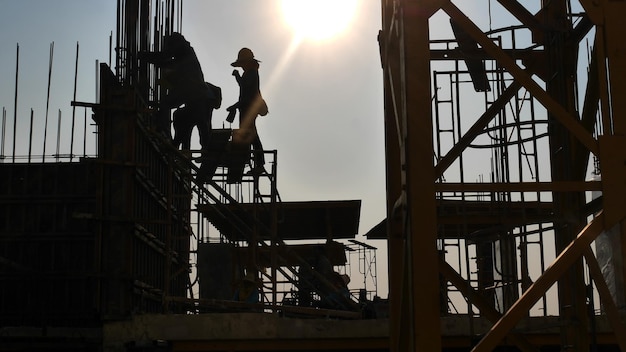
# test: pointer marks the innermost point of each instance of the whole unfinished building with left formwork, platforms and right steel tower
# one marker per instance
(134, 249)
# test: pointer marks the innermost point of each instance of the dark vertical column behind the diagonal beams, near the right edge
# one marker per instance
(561, 55)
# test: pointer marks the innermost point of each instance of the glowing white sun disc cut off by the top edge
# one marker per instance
(318, 19)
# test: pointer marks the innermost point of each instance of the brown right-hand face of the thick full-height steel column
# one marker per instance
(420, 215)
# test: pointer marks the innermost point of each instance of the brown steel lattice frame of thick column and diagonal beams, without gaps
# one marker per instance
(414, 179)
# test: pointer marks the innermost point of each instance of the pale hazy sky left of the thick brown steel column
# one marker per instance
(325, 96)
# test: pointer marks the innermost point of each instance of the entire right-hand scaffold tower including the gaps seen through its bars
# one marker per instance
(492, 157)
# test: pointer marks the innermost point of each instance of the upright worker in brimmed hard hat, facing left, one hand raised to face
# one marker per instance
(250, 105)
